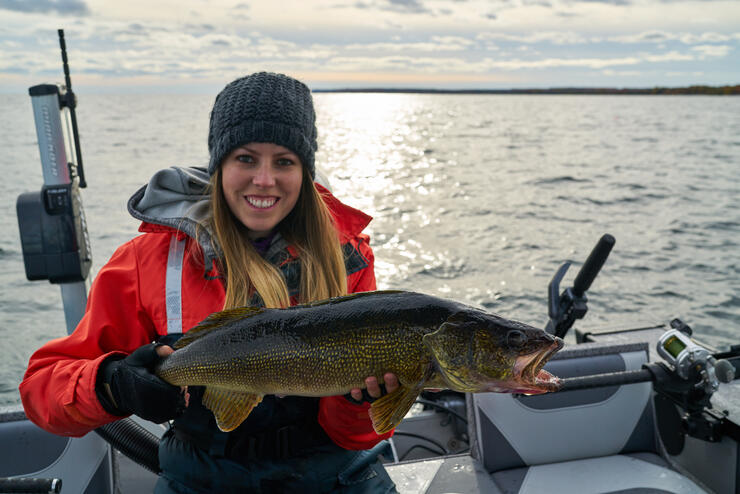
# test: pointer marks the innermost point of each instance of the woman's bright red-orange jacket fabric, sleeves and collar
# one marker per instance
(126, 309)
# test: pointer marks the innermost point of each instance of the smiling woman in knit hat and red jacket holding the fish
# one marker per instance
(252, 229)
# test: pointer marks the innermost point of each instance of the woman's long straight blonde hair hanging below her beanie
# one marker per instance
(309, 228)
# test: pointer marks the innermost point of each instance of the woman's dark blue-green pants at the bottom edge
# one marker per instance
(187, 469)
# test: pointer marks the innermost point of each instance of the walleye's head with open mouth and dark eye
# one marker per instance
(477, 352)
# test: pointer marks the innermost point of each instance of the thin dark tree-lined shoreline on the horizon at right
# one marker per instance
(689, 90)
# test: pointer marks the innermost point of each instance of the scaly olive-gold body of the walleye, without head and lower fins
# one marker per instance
(274, 351)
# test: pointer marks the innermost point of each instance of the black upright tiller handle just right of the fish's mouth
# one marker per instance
(564, 309)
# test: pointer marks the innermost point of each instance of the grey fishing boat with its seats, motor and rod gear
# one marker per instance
(648, 409)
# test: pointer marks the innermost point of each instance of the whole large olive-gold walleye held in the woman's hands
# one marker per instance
(327, 348)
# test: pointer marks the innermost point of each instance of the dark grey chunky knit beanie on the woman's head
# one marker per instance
(263, 107)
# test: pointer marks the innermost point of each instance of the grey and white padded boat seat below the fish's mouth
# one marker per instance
(599, 440)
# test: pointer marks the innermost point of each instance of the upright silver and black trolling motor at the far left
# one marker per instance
(53, 231)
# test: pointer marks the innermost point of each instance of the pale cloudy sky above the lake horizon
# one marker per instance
(200, 45)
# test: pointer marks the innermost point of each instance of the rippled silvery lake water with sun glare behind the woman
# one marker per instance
(476, 198)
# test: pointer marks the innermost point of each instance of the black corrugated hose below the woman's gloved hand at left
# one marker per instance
(134, 441)
